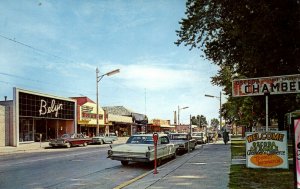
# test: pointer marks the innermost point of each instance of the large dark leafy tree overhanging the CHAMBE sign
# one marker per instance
(246, 39)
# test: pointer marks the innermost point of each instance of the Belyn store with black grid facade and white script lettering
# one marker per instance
(35, 116)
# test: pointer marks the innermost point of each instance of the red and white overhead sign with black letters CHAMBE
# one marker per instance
(271, 85)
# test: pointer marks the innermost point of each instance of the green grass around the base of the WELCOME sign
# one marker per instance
(242, 177)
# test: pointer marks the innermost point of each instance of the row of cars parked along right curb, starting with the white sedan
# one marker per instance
(140, 147)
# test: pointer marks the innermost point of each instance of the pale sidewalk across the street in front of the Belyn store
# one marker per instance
(37, 146)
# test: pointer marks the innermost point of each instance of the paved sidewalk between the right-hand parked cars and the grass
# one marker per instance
(208, 167)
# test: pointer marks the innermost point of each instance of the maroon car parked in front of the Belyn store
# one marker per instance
(69, 140)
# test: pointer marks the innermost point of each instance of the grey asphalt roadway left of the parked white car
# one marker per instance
(65, 168)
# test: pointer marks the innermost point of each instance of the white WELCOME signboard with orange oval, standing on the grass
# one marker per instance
(267, 149)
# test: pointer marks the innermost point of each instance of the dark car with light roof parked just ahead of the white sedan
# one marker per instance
(184, 141)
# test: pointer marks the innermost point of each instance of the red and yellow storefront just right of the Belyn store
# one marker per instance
(87, 117)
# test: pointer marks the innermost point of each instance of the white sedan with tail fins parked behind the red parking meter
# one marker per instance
(140, 148)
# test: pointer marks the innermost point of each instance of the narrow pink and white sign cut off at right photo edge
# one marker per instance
(297, 148)
